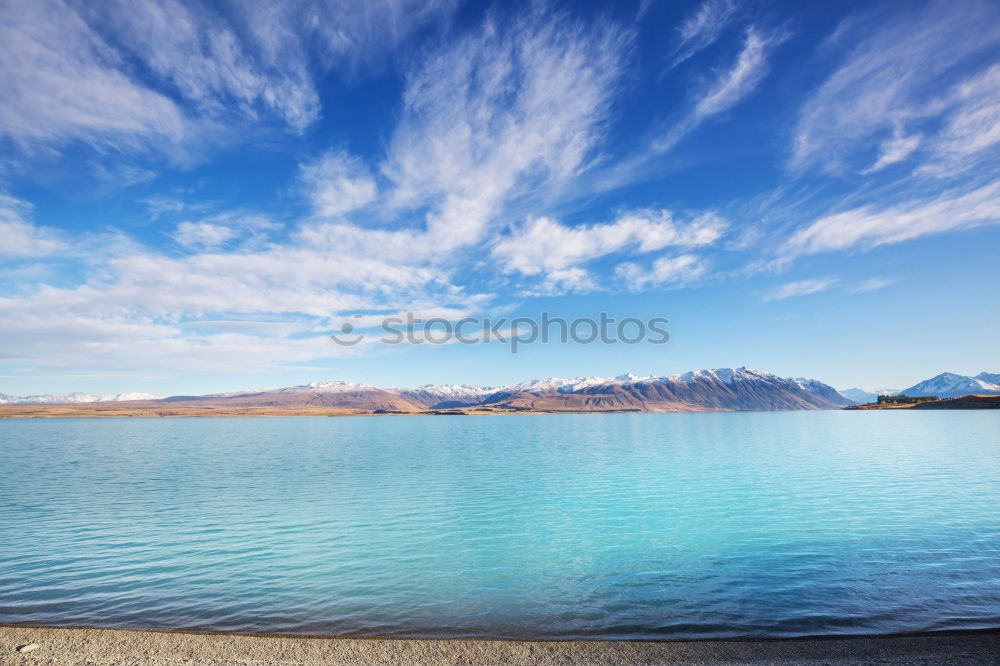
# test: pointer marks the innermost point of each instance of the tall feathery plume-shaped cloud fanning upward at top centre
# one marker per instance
(501, 113)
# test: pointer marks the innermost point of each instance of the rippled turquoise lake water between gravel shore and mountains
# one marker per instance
(629, 526)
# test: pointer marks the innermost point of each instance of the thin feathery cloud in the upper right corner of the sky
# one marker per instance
(895, 81)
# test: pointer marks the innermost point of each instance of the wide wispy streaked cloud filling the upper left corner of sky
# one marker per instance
(162, 74)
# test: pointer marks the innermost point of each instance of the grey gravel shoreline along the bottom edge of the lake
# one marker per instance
(83, 645)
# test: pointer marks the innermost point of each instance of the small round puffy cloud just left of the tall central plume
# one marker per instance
(337, 183)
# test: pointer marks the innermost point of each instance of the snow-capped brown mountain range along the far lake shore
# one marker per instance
(721, 389)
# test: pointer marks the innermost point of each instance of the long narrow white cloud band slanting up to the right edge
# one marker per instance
(871, 226)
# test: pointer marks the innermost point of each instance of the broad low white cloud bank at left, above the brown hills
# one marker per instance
(139, 311)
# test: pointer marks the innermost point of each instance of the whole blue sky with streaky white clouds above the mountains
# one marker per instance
(195, 195)
